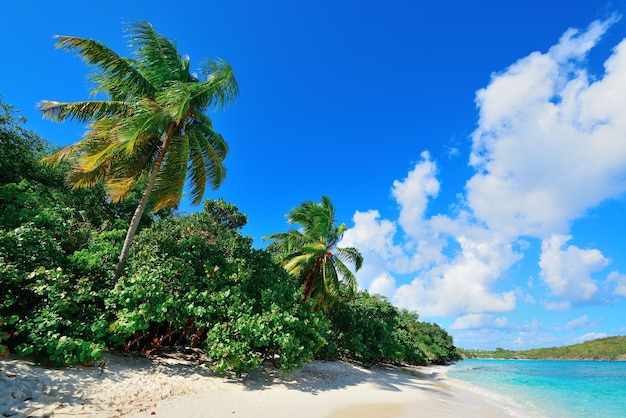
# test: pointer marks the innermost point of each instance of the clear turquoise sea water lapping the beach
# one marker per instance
(550, 388)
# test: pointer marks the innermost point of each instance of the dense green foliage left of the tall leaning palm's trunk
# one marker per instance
(46, 310)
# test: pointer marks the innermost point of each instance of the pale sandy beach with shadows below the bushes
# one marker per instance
(179, 387)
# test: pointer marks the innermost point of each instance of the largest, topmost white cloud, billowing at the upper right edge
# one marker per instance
(549, 144)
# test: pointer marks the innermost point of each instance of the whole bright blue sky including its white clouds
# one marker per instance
(476, 150)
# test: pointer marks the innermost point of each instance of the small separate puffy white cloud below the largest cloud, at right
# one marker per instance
(568, 272)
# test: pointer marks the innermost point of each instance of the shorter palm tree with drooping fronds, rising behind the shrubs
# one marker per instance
(311, 253)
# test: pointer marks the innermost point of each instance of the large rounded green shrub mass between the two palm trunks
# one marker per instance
(195, 280)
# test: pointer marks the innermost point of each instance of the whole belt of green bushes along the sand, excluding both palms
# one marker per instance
(192, 280)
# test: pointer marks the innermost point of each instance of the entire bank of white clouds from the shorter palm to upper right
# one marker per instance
(550, 145)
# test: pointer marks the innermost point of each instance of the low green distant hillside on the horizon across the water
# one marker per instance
(610, 348)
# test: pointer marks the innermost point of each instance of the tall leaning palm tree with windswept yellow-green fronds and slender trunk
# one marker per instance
(151, 125)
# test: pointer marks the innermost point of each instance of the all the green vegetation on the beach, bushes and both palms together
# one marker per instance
(192, 280)
